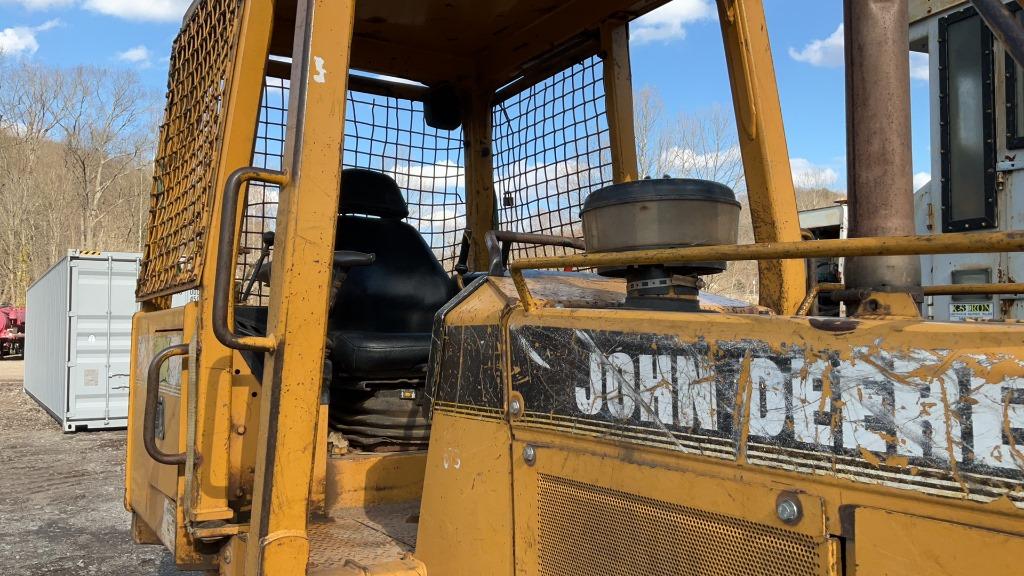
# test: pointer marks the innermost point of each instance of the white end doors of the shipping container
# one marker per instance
(102, 307)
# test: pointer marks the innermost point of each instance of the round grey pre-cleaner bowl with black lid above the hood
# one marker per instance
(662, 214)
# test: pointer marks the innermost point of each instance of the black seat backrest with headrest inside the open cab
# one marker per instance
(406, 286)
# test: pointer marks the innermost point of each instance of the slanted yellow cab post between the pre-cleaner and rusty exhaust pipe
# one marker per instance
(762, 141)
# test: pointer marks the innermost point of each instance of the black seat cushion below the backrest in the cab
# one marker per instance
(380, 355)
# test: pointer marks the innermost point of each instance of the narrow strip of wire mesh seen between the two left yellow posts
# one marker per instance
(262, 199)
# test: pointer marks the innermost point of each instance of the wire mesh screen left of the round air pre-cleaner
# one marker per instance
(551, 150)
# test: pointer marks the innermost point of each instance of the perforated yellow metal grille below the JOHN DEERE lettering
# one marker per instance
(586, 530)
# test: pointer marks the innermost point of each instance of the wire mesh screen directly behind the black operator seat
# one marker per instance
(391, 136)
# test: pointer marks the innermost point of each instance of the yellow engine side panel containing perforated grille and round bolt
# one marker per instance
(594, 508)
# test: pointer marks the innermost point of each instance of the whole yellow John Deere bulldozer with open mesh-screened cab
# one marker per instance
(407, 309)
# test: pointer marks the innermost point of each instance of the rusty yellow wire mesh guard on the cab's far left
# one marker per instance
(187, 164)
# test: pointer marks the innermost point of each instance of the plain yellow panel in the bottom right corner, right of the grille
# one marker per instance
(895, 545)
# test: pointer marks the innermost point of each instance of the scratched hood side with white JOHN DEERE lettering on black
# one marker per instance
(945, 417)
